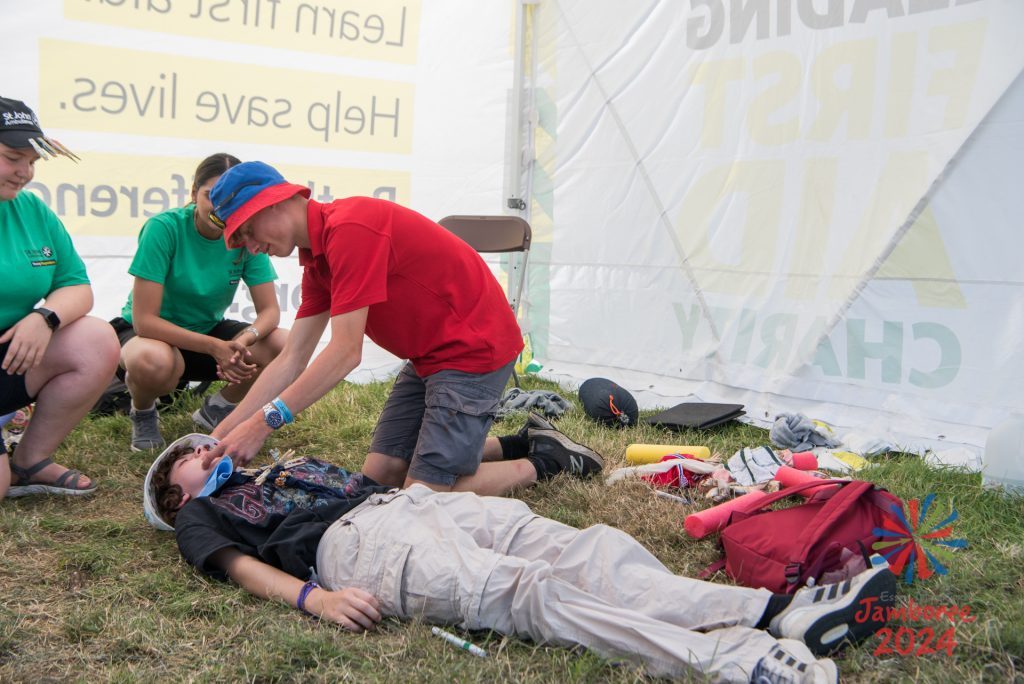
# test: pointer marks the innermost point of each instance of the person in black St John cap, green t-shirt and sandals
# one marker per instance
(51, 354)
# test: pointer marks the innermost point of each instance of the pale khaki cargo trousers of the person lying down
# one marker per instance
(488, 563)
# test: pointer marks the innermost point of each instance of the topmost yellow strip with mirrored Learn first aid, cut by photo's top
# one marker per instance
(381, 30)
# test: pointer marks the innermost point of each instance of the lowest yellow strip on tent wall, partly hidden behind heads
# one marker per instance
(114, 195)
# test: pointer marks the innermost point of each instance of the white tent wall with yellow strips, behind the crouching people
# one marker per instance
(403, 100)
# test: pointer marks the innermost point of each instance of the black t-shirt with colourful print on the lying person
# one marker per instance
(280, 522)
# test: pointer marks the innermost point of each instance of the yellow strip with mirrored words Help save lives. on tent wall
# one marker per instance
(88, 88)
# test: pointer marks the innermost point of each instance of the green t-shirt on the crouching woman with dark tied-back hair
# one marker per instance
(200, 276)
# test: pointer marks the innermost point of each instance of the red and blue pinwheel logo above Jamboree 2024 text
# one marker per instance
(906, 546)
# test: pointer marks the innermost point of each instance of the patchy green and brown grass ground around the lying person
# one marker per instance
(90, 592)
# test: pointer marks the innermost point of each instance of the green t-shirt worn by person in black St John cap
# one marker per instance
(36, 256)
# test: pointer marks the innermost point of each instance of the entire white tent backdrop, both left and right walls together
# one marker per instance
(800, 205)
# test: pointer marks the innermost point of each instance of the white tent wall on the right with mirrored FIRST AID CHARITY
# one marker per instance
(799, 206)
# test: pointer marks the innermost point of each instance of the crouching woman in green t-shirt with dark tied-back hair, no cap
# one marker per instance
(173, 328)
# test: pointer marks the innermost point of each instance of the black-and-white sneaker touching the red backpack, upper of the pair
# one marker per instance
(826, 618)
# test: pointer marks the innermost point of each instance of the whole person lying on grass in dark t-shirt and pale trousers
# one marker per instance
(338, 546)
